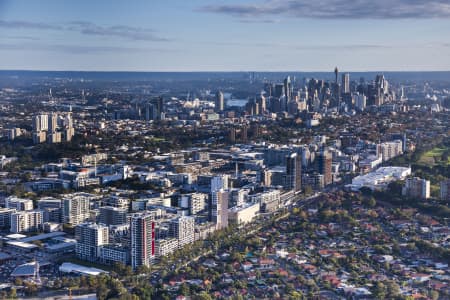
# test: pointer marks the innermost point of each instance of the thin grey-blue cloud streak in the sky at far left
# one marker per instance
(89, 28)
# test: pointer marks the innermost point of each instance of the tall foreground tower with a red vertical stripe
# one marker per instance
(142, 239)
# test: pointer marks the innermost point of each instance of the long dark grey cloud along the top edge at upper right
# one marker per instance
(336, 9)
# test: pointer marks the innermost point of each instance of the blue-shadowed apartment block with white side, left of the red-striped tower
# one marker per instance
(90, 238)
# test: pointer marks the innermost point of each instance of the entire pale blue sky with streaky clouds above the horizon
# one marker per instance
(217, 35)
